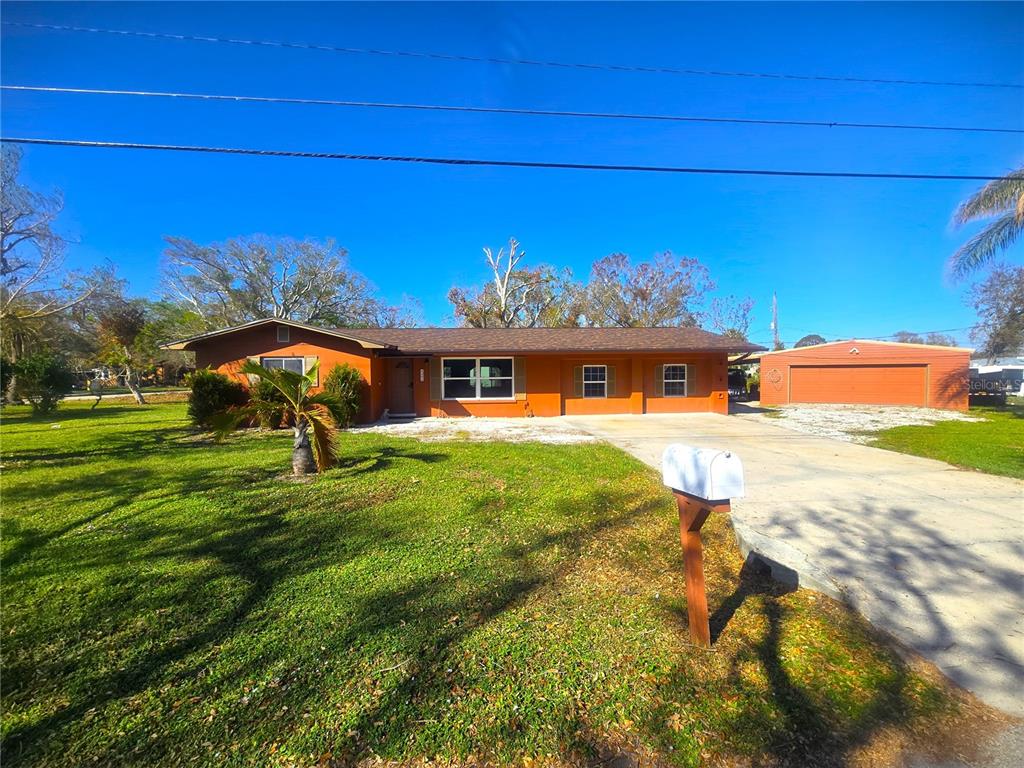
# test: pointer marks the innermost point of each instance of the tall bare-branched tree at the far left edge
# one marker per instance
(37, 294)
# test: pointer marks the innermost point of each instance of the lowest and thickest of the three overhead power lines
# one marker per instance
(493, 163)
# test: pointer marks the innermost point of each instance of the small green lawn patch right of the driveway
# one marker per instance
(995, 446)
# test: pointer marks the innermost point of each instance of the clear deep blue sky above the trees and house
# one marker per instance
(846, 258)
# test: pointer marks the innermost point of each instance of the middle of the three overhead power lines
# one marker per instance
(502, 110)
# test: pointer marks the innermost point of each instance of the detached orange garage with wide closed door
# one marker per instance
(861, 372)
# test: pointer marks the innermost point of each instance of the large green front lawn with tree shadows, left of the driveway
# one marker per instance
(169, 602)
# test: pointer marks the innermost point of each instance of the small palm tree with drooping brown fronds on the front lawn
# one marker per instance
(315, 417)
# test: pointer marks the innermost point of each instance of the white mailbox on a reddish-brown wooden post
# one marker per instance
(703, 482)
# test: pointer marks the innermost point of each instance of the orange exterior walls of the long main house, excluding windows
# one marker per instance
(549, 377)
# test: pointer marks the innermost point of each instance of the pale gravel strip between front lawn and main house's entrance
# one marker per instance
(553, 431)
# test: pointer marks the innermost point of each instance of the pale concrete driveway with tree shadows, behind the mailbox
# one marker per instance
(932, 554)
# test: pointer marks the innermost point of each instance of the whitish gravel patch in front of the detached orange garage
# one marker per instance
(854, 423)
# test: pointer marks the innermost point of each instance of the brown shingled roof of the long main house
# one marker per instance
(517, 340)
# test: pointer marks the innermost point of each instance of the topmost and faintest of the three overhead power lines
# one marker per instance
(501, 61)
